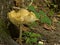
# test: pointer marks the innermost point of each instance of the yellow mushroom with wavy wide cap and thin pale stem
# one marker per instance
(23, 16)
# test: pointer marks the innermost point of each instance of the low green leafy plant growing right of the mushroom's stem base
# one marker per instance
(31, 37)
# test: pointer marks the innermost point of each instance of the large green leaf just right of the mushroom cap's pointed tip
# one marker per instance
(44, 18)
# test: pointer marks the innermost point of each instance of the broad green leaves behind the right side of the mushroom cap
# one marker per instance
(41, 15)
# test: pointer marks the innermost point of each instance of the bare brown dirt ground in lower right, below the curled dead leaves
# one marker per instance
(50, 37)
